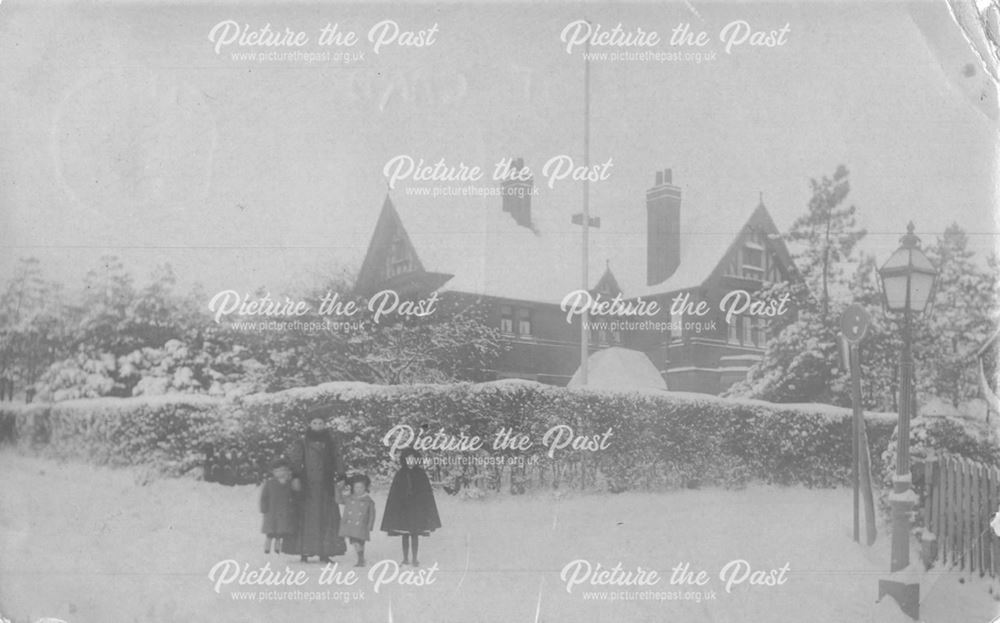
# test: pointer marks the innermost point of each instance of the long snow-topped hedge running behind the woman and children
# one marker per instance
(658, 439)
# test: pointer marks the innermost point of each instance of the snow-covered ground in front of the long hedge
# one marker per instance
(88, 544)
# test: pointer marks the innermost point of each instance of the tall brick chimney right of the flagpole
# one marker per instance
(663, 228)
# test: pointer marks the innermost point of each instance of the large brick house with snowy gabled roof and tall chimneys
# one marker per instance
(521, 265)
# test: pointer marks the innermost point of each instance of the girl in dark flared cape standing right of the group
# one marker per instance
(410, 510)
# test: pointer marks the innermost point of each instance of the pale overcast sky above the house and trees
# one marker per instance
(123, 130)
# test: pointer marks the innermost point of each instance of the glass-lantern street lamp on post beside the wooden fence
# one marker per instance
(908, 279)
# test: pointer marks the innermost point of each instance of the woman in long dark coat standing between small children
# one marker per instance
(318, 466)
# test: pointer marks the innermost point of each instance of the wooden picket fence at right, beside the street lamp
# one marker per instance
(960, 499)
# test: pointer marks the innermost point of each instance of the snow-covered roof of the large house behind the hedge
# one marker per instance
(486, 252)
